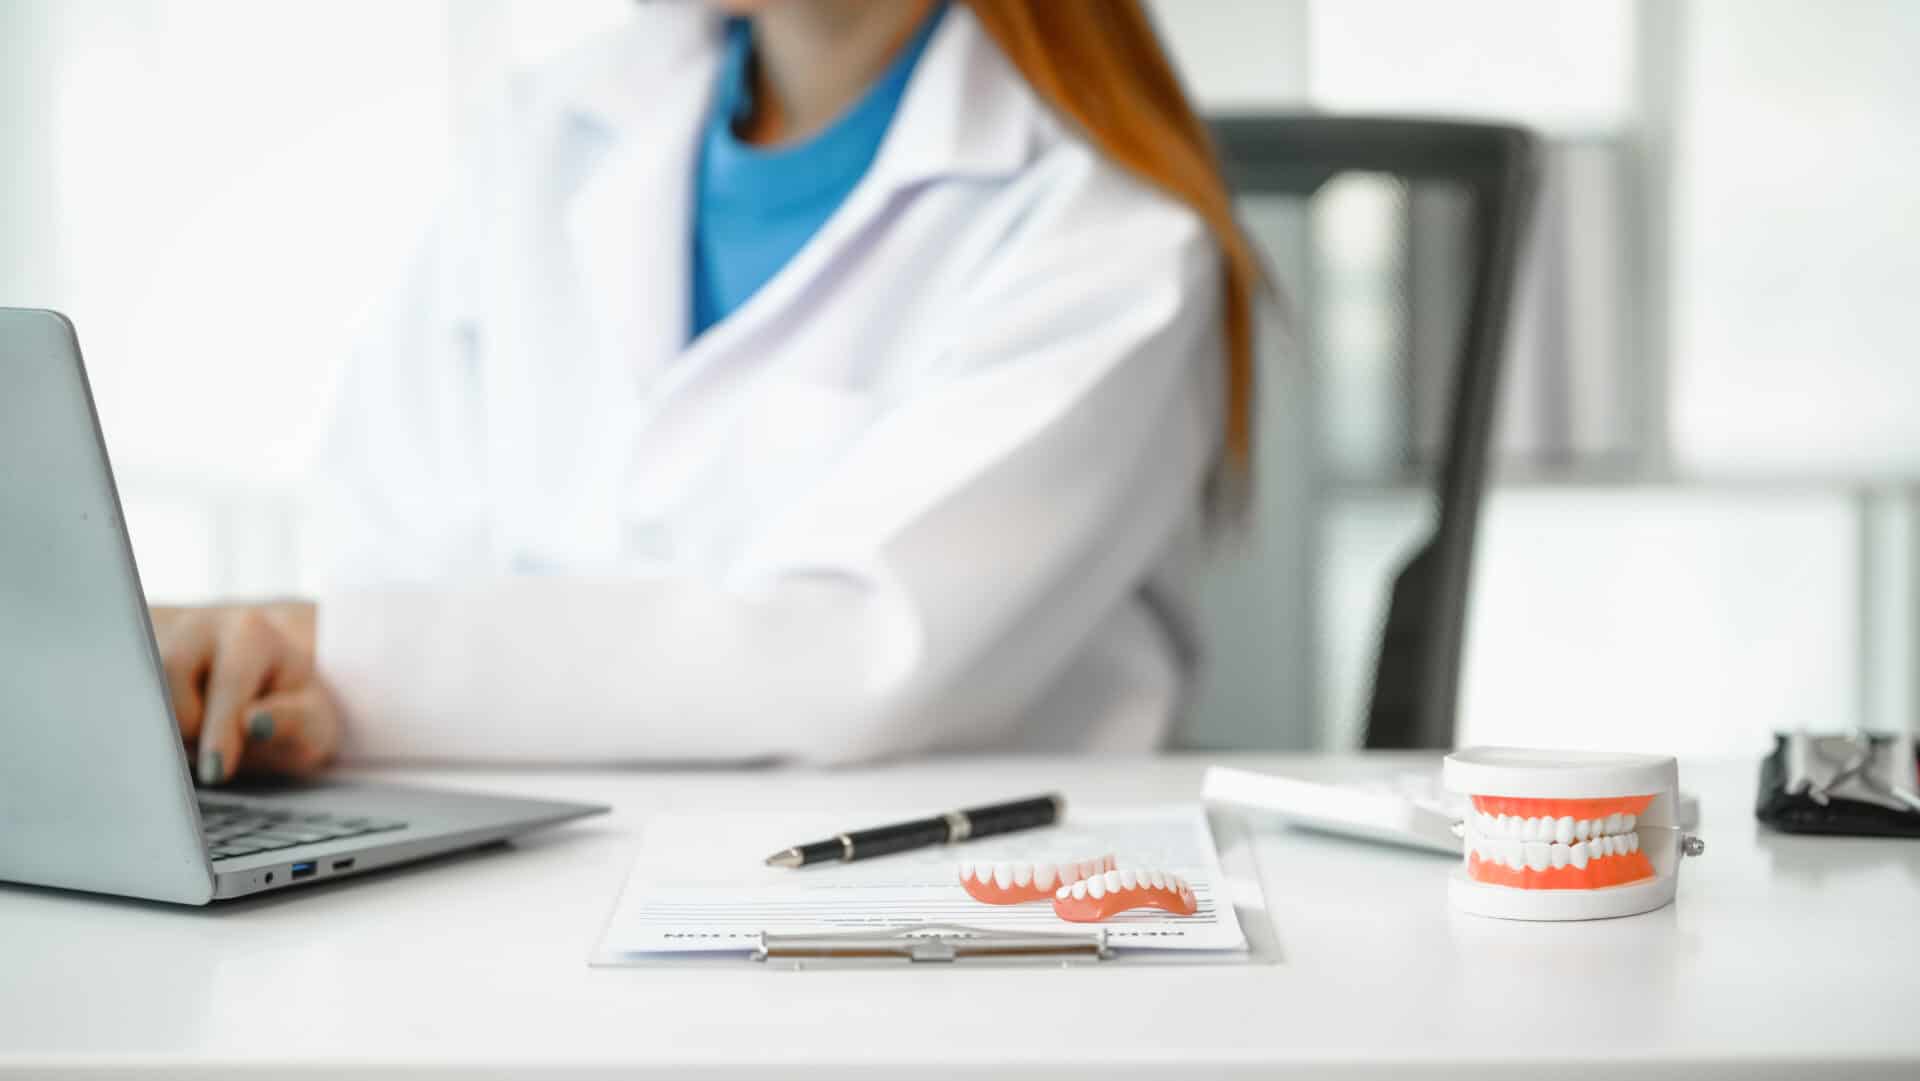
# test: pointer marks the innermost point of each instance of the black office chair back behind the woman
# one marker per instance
(1416, 679)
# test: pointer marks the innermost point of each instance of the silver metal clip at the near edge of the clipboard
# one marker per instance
(936, 944)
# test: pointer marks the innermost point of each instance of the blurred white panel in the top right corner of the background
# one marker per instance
(1798, 239)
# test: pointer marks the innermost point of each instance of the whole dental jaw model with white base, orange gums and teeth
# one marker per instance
(1566, 834)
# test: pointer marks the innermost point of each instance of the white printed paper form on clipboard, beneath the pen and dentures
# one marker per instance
(700, 886)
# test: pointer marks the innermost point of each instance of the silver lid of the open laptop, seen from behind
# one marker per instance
(93, 779)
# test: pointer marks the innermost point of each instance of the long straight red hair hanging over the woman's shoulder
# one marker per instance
(1099, 64)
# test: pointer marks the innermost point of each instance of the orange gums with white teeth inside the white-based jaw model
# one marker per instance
(1556, 844)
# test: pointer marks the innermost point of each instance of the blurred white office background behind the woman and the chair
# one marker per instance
(1706, 508)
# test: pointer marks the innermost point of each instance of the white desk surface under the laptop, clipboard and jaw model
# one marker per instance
(1785, 957)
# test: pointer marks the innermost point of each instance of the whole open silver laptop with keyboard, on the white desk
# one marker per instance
(95, 786)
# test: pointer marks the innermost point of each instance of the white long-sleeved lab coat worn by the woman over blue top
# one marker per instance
(934, 487)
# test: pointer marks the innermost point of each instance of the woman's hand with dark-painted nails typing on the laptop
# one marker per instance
(245, 690)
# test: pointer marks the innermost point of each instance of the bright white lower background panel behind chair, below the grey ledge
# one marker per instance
(1620, 617)
